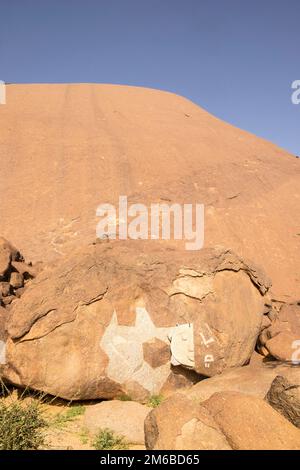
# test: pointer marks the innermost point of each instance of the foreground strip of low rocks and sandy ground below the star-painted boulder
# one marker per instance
(254, 407)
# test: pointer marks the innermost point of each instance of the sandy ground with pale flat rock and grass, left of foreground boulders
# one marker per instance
(69, 425)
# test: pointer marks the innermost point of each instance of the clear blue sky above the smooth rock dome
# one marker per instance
(236, 58)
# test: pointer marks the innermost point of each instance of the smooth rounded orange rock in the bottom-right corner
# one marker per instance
(250, 423)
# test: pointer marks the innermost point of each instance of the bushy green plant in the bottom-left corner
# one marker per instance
(21, 426)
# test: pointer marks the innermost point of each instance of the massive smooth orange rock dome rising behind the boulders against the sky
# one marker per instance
(250, 187)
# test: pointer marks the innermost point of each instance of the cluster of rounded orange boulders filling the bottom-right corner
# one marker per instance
(226, 419)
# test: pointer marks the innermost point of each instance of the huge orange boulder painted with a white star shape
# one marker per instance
(91, 320)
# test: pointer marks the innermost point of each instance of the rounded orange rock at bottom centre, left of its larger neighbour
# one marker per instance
(181, 424)
